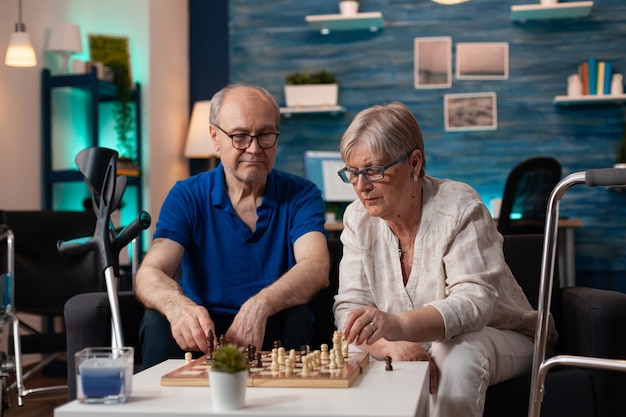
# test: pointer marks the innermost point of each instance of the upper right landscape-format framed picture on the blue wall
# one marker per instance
(482, 61)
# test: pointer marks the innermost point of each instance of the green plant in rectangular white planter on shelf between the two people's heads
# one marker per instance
(317, 89)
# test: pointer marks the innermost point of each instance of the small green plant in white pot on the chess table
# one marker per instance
(228, 378)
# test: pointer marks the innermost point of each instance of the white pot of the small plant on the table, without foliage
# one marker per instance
(228, 390)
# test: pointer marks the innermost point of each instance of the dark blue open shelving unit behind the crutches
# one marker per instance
(98, 92)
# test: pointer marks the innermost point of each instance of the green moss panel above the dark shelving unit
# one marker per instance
(113, 52)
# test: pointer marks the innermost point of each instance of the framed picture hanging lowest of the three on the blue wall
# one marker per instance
(471, 111)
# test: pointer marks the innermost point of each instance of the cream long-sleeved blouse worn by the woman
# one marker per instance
(458, 265)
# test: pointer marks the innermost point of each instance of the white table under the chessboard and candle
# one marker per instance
(402, 392)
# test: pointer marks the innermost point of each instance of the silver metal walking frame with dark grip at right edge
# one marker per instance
(541, 366)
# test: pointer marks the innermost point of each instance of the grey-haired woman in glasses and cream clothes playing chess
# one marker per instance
(423, 275)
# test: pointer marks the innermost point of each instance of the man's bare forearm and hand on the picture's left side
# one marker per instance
(156, 288)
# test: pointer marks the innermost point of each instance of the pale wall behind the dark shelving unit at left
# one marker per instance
(158, 34)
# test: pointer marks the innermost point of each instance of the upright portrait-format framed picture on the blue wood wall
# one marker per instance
(433, 62)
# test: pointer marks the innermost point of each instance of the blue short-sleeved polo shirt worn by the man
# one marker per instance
(224, 262)
